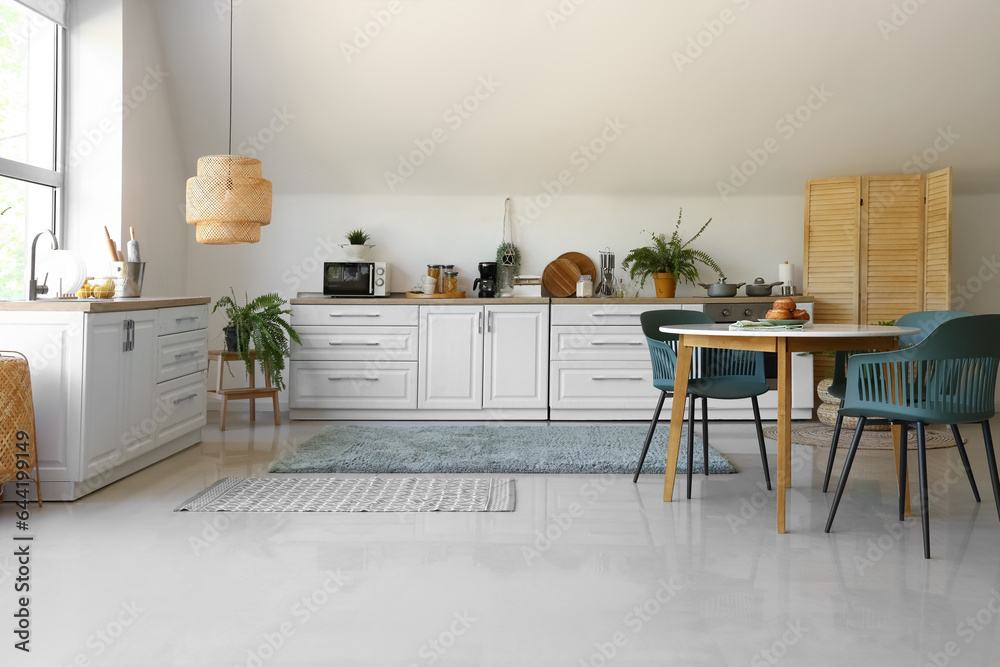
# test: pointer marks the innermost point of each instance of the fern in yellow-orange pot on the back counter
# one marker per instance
(668, 260)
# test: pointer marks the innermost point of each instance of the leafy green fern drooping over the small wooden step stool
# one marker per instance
(259, 321)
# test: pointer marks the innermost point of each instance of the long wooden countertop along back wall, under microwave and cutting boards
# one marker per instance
(398, 298)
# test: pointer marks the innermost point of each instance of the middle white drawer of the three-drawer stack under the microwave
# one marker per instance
(356, 344)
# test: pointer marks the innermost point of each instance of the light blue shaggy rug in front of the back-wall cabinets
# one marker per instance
(491, 448)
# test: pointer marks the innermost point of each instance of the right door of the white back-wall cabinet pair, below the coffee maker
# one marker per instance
(515, 374)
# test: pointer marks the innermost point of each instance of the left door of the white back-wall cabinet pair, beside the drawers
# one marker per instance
(450, 370)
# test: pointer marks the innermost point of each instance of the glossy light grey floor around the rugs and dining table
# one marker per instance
(587, 571)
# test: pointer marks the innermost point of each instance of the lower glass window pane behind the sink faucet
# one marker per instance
(26, 210)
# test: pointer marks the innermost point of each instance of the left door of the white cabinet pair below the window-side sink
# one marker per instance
(103, 381)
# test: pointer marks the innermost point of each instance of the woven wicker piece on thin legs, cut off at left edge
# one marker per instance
(17, 415)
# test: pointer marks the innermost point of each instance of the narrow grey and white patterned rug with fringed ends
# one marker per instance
(377, 494)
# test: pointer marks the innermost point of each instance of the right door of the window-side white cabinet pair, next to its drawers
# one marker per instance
(138, 433)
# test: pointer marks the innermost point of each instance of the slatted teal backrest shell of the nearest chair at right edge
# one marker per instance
(949, 377)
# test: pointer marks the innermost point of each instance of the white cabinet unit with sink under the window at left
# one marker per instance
(113, 391)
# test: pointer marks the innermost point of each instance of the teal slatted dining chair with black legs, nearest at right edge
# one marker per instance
(948, 378)
